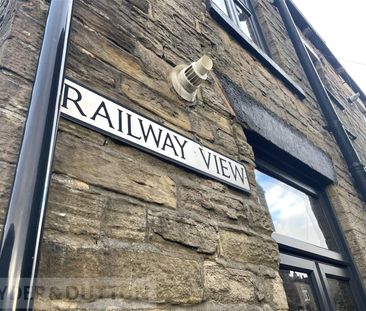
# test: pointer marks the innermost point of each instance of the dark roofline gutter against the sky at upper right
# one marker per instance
(314, 37)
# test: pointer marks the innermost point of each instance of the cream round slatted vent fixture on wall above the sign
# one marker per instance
(187, 78)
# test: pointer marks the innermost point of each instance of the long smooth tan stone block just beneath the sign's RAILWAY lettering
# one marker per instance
(119, 172)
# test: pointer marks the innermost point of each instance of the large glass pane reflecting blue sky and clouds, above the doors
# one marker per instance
(294, 213)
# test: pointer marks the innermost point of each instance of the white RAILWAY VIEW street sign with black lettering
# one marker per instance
(88, 108)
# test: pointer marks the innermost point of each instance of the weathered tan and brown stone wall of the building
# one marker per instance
(169, 238)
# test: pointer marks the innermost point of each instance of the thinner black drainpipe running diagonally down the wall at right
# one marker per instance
(353, 161)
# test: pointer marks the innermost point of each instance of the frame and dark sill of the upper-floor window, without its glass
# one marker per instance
(261, 53)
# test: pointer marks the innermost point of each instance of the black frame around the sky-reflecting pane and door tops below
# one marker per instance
(318, 262)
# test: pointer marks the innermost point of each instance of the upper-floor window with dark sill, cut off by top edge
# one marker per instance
(239, 19)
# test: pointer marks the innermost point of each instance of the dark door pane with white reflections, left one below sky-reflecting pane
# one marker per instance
(299, 292)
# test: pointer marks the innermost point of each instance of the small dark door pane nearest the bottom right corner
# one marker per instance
(341, 294)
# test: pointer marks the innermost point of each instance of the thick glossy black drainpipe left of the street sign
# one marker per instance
(22, 231)
